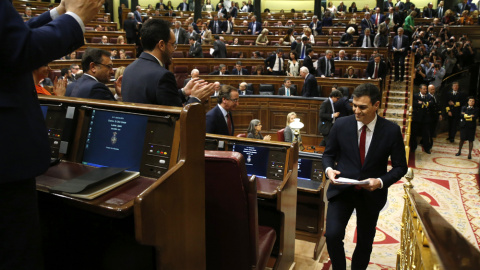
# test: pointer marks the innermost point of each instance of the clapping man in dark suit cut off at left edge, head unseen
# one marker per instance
(24, 144)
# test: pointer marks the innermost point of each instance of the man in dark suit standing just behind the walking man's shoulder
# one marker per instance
(327, 115)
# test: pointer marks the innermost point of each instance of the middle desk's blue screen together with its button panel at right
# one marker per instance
(262, 161)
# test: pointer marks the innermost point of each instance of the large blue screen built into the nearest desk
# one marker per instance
(115, 140)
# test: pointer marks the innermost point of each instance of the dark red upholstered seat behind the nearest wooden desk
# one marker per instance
(233, 238)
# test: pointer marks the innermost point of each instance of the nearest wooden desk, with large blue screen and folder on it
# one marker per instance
(145, 210)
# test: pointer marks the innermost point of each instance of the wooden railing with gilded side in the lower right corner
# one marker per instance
(428, 241)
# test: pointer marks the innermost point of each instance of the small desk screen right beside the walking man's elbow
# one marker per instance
(310, 166)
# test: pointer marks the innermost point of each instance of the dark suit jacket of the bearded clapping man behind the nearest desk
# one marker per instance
(145, 81)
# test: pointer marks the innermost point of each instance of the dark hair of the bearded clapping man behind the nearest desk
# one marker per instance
(153, 31)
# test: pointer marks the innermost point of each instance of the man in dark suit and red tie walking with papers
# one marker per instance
(359, 148)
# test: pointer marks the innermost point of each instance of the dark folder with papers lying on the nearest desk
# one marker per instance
(95, 183)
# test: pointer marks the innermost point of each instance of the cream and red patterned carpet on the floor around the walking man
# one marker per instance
(448, 182)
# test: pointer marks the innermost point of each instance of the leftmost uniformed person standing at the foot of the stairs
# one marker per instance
(421, 119)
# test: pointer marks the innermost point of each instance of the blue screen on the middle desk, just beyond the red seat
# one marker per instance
(256, 158)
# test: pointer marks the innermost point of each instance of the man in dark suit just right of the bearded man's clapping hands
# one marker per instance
(219, 119)
